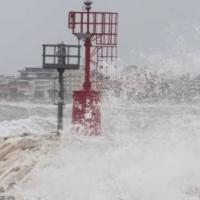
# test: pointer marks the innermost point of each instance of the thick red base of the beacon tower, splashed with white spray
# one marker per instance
(86, 116)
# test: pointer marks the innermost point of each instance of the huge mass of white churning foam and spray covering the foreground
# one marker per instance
(145, 153)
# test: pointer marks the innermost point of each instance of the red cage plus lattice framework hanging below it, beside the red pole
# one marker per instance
(103, 30)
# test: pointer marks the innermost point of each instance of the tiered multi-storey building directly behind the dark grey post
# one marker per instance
(43, 83)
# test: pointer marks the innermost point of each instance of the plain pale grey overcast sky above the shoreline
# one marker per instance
(146, 27)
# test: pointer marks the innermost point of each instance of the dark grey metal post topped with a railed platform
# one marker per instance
(61, 57)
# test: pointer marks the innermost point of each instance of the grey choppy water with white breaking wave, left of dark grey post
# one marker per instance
(18, 118)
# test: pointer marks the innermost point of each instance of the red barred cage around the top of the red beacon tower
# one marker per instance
(103, 25)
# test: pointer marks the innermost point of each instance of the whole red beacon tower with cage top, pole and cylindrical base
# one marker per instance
(98, 31)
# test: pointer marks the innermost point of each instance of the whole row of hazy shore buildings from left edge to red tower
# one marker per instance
(36, 83)
